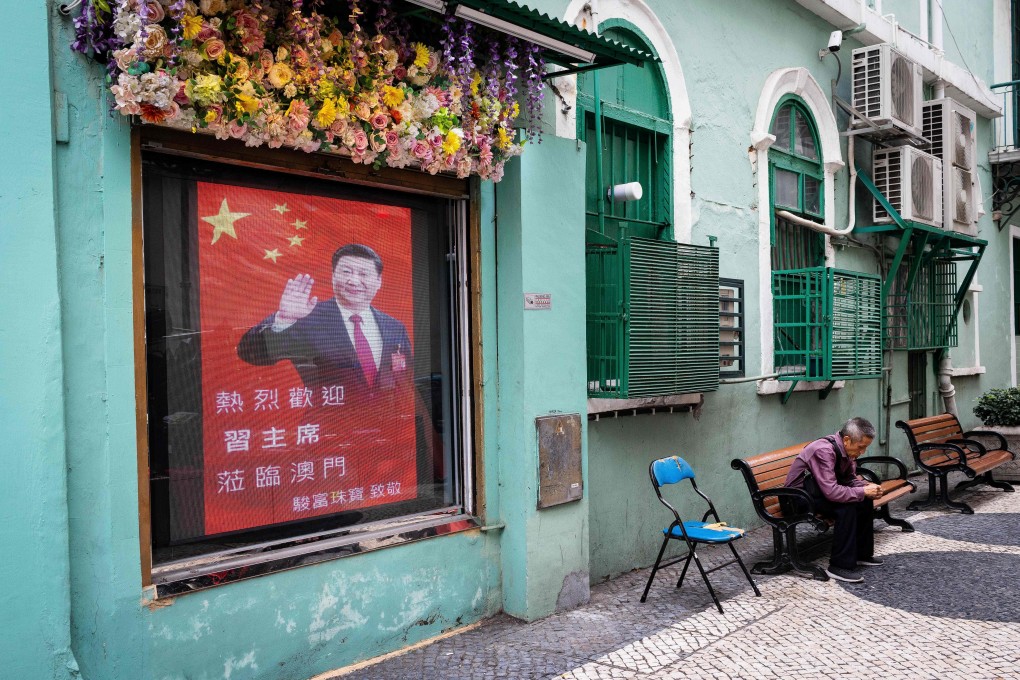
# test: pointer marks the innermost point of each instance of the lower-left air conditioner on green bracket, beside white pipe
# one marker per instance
(911, 181)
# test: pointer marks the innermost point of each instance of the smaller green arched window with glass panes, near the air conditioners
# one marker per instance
(797, 186)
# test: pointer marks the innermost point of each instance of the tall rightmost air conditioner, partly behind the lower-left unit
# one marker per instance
(950, 127)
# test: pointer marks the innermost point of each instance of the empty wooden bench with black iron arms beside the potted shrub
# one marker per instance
(941, 447)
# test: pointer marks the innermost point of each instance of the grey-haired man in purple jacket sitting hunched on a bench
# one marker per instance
(826, 469)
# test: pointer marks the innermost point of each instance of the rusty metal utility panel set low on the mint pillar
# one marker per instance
(559, 459)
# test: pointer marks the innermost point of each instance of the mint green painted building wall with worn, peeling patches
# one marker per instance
(70, 507)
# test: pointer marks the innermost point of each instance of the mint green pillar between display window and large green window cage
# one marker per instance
(540, 248)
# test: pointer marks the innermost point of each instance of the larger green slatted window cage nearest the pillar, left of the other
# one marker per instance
(653, 319)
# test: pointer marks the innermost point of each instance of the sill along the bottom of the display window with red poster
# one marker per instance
(178, 579)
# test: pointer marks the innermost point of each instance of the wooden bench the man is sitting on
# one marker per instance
(766, 476)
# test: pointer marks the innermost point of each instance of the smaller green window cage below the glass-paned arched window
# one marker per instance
(828, 325)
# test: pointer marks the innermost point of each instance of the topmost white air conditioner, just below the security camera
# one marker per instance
(888, 89)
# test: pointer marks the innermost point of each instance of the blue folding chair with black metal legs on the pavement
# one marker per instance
(671, 472)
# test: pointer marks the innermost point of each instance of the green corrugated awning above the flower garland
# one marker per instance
(564, 44)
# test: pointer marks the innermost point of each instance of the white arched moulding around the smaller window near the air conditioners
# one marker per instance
(780, 84)
